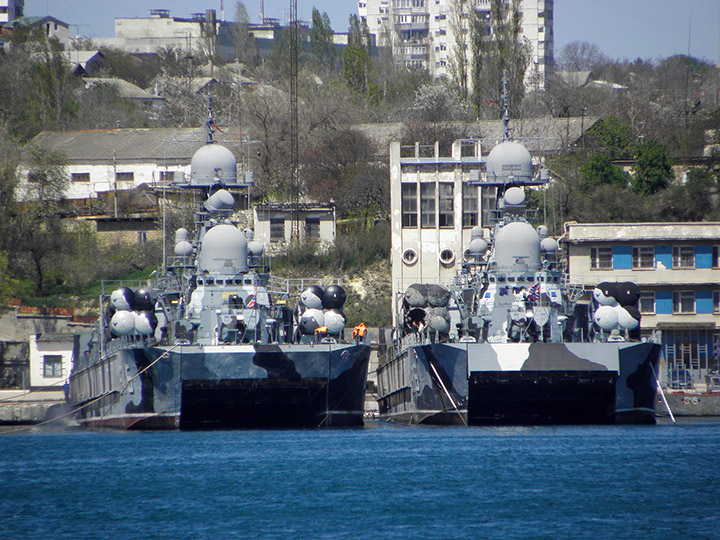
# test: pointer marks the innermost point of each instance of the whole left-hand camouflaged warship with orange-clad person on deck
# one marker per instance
(214, 340)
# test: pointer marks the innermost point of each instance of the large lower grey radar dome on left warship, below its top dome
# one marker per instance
(223, 250)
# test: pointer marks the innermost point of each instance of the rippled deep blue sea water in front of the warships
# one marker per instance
(381, 481)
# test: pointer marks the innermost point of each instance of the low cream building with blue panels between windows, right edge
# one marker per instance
(676, 266)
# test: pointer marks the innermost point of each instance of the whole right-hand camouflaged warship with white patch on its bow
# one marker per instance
(509, 340)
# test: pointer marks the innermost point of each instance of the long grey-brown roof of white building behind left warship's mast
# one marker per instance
(134, 145)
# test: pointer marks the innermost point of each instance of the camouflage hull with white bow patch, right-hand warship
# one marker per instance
(520, 383)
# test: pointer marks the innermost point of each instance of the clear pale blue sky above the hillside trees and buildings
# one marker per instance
(648, 29)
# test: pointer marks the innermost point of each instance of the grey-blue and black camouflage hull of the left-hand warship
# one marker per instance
(219, 387)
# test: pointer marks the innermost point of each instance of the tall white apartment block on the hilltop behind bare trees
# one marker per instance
(420, 32)
